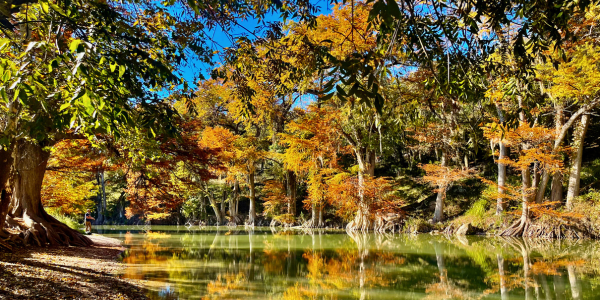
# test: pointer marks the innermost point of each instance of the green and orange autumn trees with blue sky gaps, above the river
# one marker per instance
(408, 116)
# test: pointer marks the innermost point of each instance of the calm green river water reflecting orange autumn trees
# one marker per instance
(224, 263)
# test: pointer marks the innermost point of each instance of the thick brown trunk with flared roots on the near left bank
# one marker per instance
(26, 211)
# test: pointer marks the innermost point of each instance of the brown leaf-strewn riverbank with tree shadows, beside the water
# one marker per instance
(67, 273)
